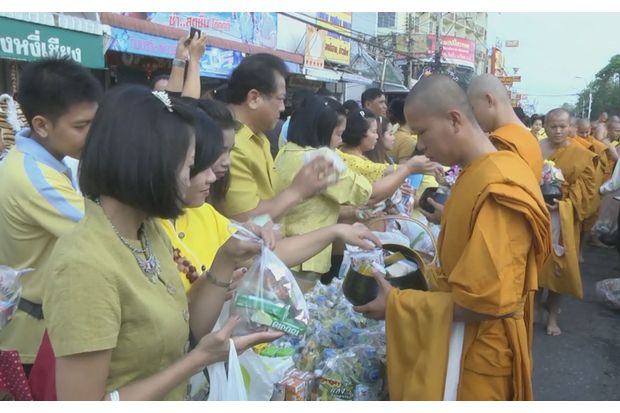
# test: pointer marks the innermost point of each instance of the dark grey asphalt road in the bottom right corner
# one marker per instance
(584, 362)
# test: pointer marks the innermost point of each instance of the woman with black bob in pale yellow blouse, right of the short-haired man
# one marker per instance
(320, 125)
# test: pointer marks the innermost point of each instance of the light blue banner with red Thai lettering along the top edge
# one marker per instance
(247, 27)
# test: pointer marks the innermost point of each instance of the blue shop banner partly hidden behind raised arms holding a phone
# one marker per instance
(216, 62)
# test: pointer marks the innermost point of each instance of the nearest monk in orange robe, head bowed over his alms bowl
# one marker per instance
(494, 238)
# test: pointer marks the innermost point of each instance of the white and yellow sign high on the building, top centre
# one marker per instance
(337, 48)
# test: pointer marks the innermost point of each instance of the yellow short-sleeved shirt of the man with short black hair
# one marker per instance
(251, 172)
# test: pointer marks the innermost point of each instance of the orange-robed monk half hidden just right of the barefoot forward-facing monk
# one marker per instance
(603, 172)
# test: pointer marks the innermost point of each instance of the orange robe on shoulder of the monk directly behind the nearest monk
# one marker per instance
(517, 139)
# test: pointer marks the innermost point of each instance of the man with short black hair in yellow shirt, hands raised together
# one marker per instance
(257, 92)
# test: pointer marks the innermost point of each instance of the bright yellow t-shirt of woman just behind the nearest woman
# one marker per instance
(198, 233)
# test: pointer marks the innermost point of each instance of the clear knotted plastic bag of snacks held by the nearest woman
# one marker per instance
(268, 296)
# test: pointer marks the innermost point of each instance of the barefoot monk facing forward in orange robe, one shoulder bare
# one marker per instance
(561, 274)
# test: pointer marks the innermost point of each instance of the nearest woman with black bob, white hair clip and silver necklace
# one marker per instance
(116, 312)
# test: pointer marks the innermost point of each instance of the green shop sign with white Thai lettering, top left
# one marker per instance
(21, 40)
